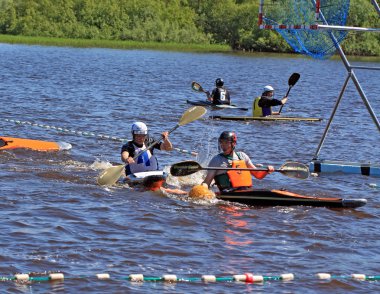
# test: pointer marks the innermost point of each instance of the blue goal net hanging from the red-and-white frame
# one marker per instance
(300, 21)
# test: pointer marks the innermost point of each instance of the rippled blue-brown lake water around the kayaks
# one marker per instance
(54, 217)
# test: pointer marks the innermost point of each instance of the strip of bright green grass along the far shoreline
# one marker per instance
(128, 45)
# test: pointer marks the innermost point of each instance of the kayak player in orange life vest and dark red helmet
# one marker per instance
(232, 179)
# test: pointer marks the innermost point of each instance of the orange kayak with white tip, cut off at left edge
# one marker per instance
(19, 143)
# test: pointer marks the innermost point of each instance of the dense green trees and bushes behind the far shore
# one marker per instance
(230, 22)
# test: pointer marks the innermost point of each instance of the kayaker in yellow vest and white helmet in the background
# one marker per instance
(262, 106)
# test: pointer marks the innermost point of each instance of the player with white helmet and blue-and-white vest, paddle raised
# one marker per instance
(146, 161)
